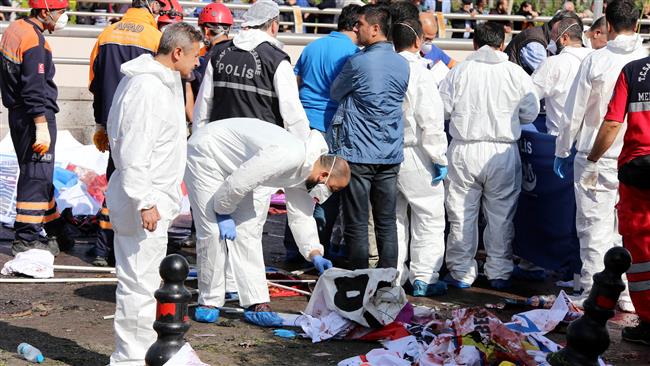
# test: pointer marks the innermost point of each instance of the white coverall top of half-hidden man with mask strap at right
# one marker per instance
(553, 79)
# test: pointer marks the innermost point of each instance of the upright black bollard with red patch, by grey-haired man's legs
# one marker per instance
(172, 320)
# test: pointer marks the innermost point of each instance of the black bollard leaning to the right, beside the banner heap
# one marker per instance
(587, 337)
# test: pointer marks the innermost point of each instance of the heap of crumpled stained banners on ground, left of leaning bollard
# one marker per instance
(473, 336)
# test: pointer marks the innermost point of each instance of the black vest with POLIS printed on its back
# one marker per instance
(243, 82)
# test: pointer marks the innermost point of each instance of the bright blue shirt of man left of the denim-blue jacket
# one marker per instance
(319, 64)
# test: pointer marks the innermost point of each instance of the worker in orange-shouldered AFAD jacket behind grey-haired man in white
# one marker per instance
(134, 35)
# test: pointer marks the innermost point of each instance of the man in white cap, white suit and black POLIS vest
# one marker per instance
(247, 77)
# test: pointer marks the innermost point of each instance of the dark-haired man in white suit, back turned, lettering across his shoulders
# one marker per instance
(487, 98)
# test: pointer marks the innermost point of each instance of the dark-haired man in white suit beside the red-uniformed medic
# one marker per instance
(596, 184)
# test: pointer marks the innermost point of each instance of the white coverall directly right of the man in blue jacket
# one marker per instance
(425, 143)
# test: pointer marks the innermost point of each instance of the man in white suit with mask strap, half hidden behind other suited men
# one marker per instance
(555, 75)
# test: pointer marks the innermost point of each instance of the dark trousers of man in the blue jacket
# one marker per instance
(375, 184)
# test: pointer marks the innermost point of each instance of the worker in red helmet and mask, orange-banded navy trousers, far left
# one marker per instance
(29, 93)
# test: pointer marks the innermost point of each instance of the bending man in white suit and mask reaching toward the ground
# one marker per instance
(227, 161)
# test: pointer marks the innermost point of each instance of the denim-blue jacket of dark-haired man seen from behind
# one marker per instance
(368, 127)
